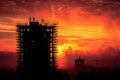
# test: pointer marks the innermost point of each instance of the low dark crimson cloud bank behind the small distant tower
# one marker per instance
(108, 57)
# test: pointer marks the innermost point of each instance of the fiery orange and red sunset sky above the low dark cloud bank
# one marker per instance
(85, 27)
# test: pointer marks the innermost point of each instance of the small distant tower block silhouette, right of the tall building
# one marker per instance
(79, 65)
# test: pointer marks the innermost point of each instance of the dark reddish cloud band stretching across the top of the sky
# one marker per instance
(17, 7)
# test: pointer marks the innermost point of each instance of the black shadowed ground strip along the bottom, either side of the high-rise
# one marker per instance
(63, 75)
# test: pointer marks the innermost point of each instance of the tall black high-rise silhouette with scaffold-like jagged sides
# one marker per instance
(36, 47)
